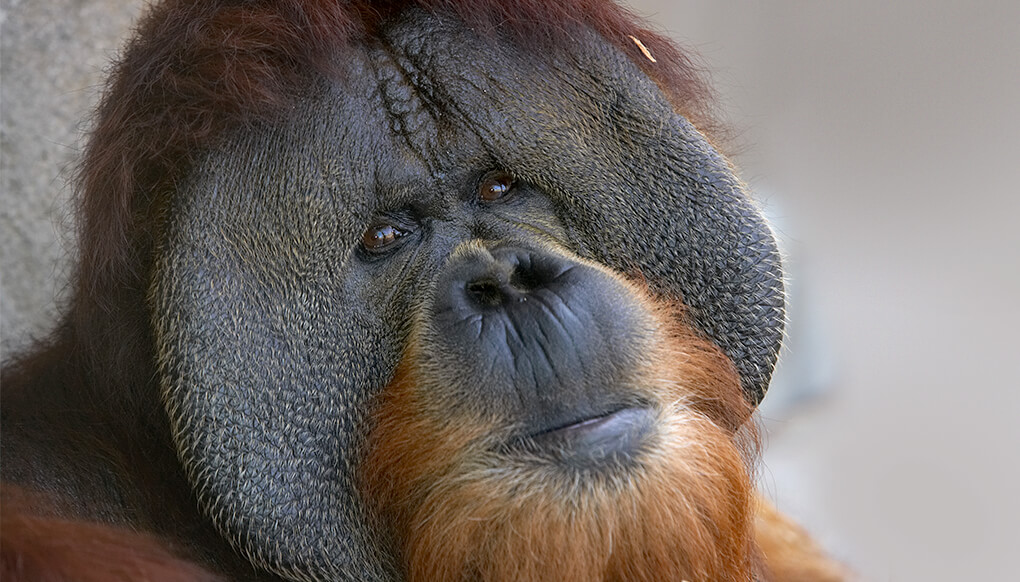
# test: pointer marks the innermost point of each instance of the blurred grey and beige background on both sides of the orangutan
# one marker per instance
(884, 141)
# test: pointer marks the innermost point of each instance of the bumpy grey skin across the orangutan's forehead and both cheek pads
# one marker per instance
(260, 263)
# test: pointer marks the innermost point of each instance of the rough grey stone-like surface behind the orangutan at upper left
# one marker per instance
(53, 59)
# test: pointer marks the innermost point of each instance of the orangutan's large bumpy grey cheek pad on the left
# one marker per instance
(269, 361)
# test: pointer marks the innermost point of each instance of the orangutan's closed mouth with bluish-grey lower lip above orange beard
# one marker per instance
(615, 438)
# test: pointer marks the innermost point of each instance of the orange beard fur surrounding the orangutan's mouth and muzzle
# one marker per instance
(462, 510)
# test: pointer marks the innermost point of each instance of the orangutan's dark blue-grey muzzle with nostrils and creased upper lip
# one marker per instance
(548, 335)
